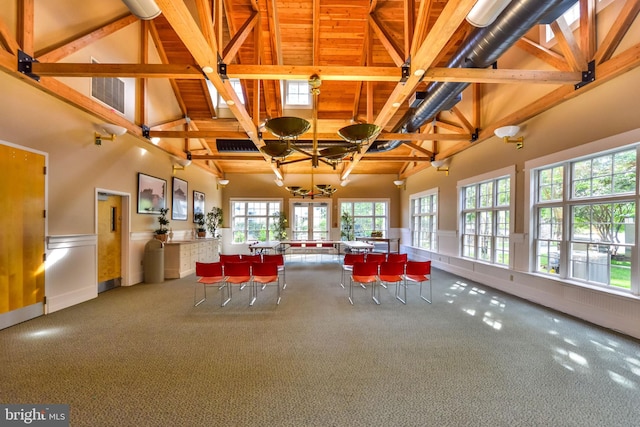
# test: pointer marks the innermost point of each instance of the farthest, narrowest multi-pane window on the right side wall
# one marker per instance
(424, 218)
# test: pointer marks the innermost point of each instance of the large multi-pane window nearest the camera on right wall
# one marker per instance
(585, 218)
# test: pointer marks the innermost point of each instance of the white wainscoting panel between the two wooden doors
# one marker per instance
(71, 275)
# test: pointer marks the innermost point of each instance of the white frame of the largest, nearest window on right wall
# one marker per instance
(579, 258)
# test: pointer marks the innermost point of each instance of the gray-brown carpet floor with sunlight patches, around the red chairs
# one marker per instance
(144, 356)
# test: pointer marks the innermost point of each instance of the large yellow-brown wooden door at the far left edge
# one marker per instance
(22, 228)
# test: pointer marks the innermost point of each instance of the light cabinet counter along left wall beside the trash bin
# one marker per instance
(180, 257)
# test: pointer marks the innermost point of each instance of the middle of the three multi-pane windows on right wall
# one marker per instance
(486, 222)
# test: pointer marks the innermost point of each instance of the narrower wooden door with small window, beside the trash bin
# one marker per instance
(109, 241)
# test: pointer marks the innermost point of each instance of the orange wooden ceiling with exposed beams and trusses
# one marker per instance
(357, 48)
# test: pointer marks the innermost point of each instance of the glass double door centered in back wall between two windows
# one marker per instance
(311, 220)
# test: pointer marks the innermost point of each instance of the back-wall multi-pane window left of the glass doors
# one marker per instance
(252, 220)
